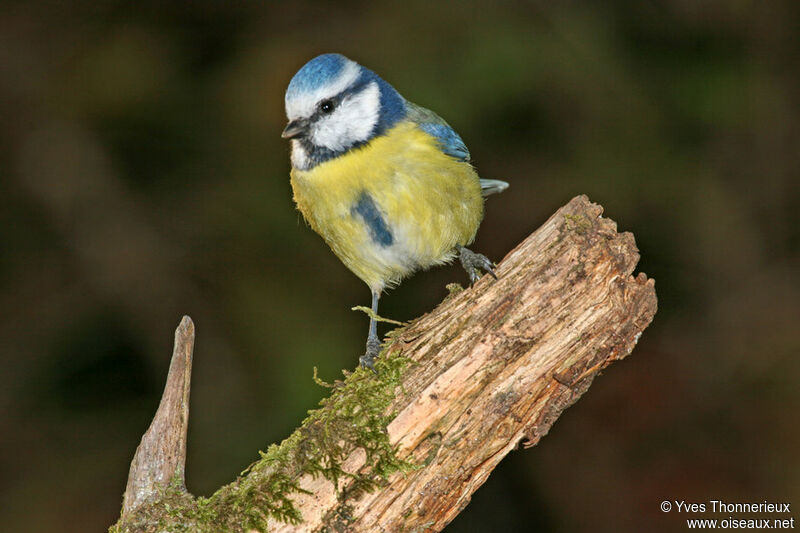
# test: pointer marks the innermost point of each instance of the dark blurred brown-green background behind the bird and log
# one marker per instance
(143, 177)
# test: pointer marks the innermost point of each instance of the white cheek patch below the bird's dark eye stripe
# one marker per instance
(352, 121)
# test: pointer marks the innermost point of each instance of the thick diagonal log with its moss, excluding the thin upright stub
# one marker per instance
(493, 366)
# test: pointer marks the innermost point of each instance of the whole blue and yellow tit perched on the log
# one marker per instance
(386, 183)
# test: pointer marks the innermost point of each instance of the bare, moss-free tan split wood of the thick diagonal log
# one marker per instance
(497, 364)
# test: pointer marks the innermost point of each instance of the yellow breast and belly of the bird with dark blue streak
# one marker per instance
(393, 206)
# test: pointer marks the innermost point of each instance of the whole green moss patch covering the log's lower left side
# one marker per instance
(353, 417)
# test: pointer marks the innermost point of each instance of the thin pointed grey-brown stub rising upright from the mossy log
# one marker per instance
(160, 459)
